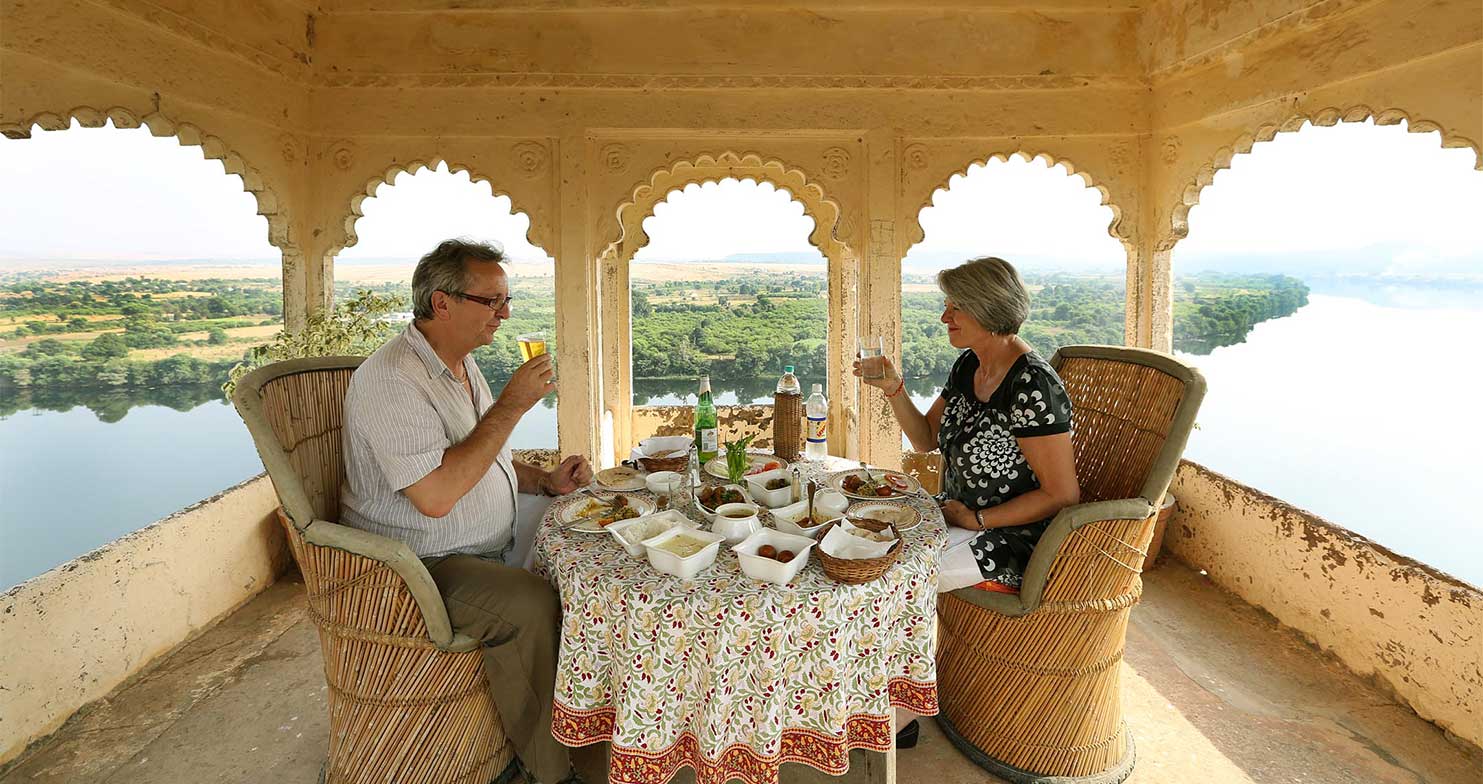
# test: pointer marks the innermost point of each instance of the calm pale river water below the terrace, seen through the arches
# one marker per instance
(1355, 410)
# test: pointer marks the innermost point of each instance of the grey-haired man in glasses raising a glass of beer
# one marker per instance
(428, 463)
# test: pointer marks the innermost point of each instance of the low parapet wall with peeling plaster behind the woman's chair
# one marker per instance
(1413, 629)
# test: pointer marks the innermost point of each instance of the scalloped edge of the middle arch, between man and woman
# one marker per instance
(646, 196)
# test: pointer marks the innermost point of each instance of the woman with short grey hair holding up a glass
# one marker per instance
(1003, 425)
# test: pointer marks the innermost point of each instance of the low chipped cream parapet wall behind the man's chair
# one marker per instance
(79, 631)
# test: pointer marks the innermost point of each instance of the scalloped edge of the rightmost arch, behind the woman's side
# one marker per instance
(1190, 195)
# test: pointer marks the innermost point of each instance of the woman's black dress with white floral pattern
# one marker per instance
(982, 462)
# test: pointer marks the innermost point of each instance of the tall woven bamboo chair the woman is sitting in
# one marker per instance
(1030, 684)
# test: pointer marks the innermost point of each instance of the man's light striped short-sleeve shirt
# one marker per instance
(404, 408)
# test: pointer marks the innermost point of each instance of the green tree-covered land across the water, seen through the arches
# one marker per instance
(736, 330)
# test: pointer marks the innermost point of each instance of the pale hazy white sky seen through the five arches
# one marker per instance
(109, 195)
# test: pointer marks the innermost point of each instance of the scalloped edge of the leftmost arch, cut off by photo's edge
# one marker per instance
(189, 136)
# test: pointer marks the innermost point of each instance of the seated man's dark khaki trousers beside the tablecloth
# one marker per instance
(517, 616)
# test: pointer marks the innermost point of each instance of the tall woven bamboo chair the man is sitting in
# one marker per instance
(409, 699)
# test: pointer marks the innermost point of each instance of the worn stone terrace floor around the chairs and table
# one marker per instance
(1215, 691)
